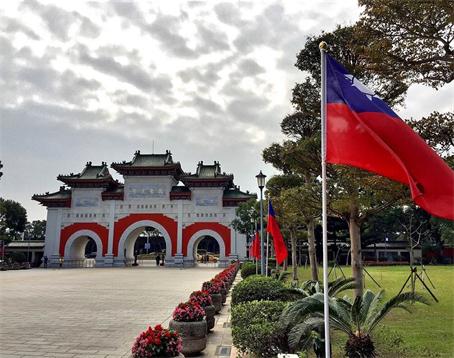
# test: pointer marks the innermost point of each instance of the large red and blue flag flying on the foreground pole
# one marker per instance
(362, 131)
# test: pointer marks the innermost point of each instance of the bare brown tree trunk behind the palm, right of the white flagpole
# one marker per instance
(355, 242)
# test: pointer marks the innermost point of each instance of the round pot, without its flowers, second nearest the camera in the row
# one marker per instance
(193, 334)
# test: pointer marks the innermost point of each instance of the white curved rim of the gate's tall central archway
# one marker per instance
(130, 235)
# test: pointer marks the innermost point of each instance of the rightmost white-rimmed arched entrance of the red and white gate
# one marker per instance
(207, 237)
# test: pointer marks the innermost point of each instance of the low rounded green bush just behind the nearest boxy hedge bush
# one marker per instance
(257, 288)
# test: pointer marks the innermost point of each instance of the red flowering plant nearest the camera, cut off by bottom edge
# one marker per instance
(157, 342)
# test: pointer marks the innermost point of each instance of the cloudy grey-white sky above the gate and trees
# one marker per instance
(95, 81)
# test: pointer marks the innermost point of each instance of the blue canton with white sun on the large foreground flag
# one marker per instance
(342, 87)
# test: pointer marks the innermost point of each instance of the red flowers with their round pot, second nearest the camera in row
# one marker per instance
(188, 320)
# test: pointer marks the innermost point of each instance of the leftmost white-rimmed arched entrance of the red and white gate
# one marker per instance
(83, 249)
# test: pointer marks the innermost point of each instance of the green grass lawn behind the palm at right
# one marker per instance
(427, 332)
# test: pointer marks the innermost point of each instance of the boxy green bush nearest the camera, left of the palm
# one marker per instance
(256, 329)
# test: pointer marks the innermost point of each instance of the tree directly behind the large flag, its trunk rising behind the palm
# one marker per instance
(354, 195)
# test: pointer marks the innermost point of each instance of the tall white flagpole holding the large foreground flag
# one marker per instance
(323, 46)
